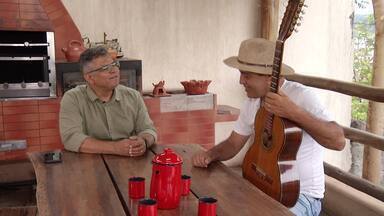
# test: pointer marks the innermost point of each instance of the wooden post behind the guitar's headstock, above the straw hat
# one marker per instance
(269, 19)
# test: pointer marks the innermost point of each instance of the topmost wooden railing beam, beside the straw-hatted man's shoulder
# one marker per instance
(349, 88)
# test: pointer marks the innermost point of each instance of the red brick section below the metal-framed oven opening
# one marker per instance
(35, 121)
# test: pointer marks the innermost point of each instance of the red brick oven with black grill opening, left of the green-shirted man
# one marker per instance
(32, 33)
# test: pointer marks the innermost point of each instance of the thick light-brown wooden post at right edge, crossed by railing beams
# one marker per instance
(375, 124)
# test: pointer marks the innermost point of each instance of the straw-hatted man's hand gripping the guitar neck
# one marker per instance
(280, 105)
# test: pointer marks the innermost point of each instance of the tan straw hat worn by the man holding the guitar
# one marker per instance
(256, 55)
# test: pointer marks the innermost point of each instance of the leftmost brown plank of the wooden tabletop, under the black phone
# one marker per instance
(80, 185)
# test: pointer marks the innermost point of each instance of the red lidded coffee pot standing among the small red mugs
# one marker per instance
(166, 179)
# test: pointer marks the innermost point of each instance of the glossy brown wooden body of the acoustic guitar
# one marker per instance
(270, 163)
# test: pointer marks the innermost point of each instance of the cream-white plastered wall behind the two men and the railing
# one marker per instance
(188, 39)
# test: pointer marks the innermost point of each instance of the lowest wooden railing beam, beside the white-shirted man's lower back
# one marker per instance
(355, 181)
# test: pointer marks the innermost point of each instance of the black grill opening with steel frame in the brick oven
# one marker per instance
(27, 64)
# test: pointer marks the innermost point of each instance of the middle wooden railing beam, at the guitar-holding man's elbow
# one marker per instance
(364, 137)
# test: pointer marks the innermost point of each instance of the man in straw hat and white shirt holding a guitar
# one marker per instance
(294, 102)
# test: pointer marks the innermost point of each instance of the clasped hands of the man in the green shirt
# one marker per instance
(134, 146)
